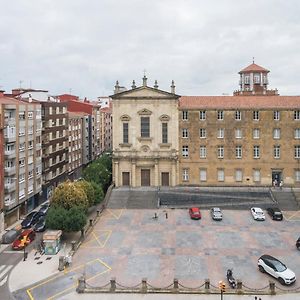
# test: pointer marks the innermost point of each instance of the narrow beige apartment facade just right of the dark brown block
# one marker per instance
(75, 153)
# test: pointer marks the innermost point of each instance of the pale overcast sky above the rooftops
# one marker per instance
(86, 45)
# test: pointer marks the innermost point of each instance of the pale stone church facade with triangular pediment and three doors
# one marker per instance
(145, 136)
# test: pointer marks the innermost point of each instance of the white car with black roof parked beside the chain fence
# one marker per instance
(274, 267)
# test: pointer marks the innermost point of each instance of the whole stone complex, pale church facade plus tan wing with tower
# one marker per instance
(249, 139)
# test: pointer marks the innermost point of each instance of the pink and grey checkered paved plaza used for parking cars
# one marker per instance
(131, 244)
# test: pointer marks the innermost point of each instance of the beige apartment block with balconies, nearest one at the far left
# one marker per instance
(22, 157)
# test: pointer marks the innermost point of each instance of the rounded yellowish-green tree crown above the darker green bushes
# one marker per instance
(68, 195)
